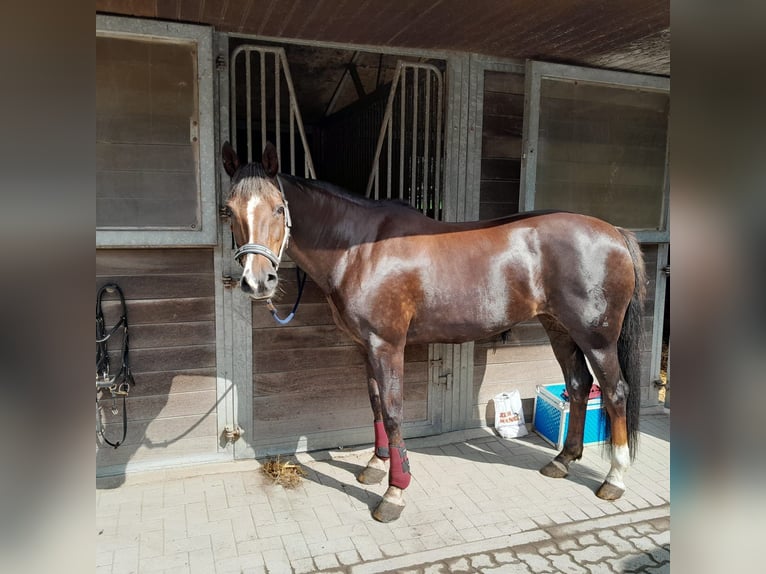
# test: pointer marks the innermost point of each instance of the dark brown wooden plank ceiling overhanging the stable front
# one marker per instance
(630, 35)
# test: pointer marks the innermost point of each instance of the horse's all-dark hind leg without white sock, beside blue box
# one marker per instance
(578, 383)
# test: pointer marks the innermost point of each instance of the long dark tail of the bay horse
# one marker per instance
(629, 343)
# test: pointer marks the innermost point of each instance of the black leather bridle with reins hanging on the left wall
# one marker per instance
(118, 384)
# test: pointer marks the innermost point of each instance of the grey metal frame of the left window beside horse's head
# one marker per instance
(206, 233)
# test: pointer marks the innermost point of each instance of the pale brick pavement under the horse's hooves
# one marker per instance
(476, 504)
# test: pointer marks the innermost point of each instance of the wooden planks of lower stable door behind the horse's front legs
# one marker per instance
(309, 379)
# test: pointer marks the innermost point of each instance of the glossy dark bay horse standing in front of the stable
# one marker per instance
(391, 276)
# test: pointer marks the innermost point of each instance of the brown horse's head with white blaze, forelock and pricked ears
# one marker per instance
(259, 219)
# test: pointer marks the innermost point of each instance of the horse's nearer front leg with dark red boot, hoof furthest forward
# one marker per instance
(387, 365)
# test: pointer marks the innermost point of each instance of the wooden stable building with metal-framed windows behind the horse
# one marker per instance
(464, 111)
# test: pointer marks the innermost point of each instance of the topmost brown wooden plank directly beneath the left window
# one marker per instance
(153, 261)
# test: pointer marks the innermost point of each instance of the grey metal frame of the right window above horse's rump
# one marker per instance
(535, 72)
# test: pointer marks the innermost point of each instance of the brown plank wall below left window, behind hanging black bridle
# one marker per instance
(171, 312)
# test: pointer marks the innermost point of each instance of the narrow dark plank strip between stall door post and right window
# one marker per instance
(503, 118)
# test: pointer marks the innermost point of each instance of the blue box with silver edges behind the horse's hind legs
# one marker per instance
(551, 417)
